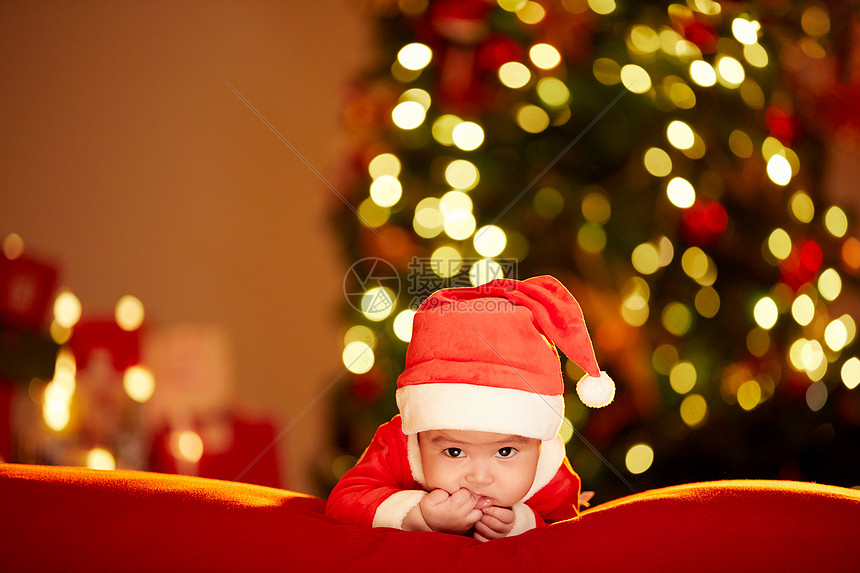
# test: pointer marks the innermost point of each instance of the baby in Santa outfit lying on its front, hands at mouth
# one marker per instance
(475, 449)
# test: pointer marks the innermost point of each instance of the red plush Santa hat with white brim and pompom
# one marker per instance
(485, 359)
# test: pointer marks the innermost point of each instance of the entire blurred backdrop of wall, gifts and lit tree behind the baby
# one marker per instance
(218, 219)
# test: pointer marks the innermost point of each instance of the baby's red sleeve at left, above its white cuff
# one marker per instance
(382, 470)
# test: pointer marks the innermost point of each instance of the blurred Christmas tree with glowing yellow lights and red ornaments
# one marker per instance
(663, 161)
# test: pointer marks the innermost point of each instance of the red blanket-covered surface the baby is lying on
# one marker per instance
(68, 519)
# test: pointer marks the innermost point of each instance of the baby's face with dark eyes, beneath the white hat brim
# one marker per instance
(499, 466)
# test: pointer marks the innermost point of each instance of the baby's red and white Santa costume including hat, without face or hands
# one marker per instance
(480, 359)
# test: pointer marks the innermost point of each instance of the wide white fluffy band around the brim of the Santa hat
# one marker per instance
(456, 406)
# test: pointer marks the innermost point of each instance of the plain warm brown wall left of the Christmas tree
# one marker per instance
(125, 157)
